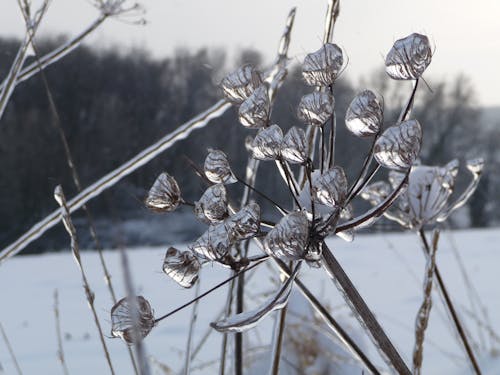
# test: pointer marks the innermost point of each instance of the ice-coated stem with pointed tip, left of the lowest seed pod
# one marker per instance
(70, 228)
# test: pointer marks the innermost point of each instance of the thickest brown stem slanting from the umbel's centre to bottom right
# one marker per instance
(363, 312)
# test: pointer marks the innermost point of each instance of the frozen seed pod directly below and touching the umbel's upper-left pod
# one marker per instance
(255, 110)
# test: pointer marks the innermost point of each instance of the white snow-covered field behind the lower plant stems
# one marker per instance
(387, 269)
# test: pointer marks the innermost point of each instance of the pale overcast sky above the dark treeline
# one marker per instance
(466, 34)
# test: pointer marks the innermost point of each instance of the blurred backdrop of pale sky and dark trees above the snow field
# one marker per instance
(129, 84)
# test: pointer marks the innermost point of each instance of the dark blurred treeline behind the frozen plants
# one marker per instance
(114, 104)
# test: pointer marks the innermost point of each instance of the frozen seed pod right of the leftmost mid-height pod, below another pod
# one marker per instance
(212, 206)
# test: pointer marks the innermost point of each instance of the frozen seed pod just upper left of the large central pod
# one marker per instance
(244, 224)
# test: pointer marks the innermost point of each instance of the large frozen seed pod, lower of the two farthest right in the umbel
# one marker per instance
(399, 146)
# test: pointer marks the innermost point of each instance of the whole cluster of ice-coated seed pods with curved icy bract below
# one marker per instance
(296, 236)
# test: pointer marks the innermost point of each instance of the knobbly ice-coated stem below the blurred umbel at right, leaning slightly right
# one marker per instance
(424, 311)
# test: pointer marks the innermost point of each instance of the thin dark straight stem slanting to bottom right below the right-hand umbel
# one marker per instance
(450, 307)
